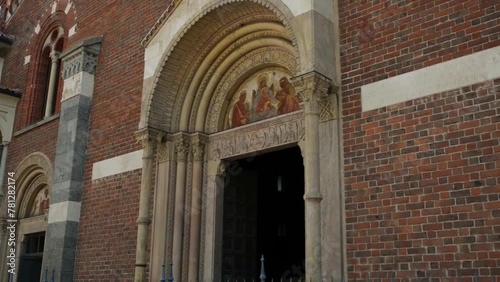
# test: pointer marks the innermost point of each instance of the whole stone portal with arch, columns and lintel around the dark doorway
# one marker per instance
(184, 114)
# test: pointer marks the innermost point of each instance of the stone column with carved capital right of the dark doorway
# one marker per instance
(311, 87)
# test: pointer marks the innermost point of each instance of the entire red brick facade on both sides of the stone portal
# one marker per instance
(422, 177)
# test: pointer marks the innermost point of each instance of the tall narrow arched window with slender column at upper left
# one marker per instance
(48, 81)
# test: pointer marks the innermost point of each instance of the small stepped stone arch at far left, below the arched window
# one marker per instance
(33, 173)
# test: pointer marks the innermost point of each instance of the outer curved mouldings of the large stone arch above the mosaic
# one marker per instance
(165, 99)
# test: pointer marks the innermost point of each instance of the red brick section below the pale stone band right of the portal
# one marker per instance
(422, 185)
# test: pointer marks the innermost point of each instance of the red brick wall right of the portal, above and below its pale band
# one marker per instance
(422, 178)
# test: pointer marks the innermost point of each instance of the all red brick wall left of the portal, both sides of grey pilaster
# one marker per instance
(108, 229)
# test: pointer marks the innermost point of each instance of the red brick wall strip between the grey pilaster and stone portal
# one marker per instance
(108, 228)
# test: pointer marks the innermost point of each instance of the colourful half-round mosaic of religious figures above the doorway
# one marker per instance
(264, 95)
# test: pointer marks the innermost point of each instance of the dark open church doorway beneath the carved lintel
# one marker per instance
(264, 215)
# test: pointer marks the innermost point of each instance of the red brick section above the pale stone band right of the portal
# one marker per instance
(382, 39)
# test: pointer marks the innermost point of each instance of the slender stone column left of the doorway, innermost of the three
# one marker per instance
(194, 234)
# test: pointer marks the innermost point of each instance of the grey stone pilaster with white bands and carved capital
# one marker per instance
(69, 166)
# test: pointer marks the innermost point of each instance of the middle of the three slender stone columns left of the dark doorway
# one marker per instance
(181, 150)
